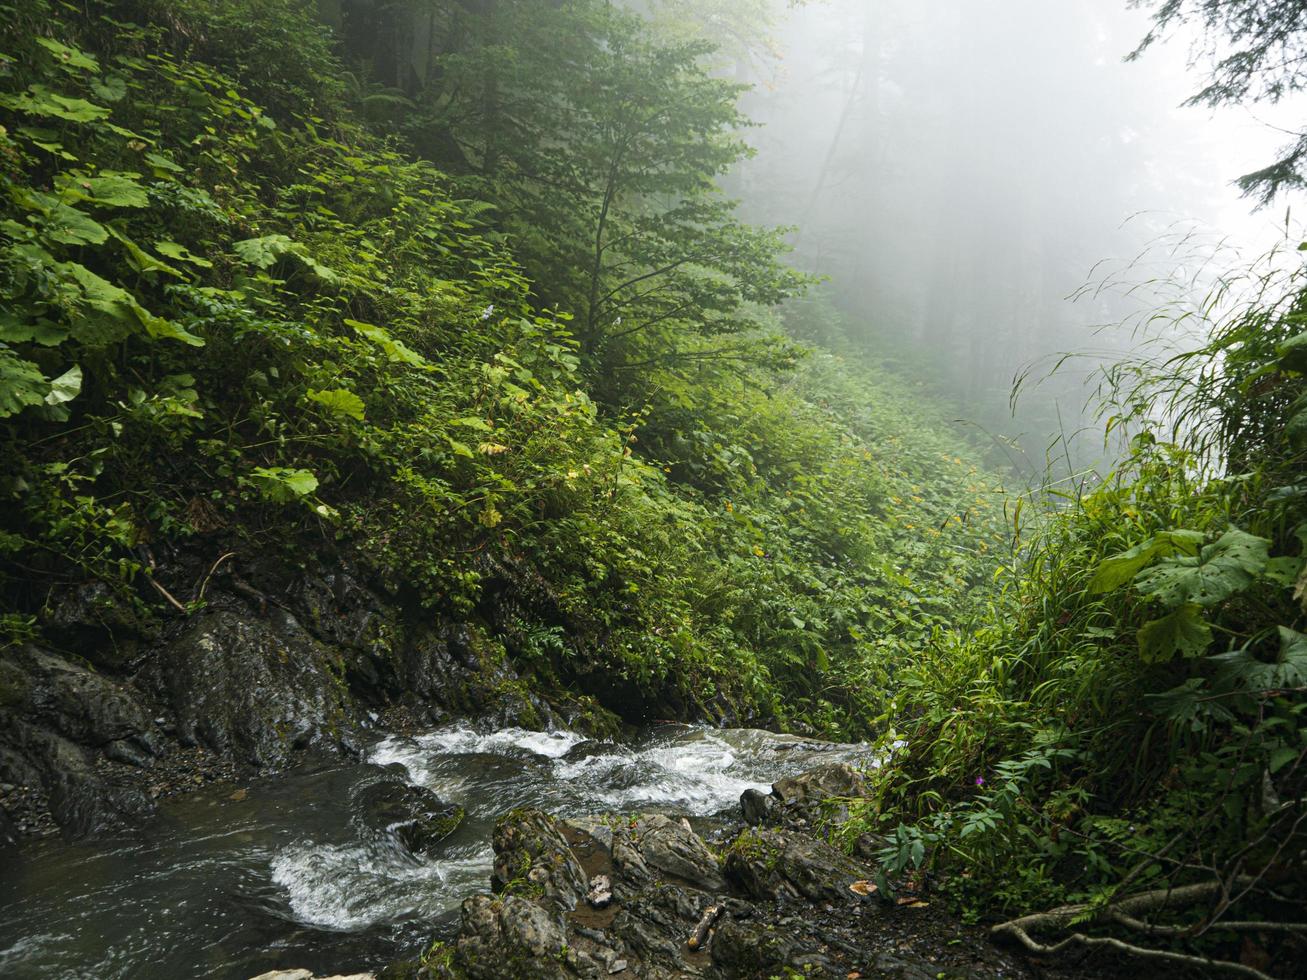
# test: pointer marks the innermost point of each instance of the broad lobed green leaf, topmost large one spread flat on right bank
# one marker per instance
(1223, 569)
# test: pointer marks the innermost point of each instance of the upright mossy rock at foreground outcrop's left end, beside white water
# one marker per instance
(531, 857)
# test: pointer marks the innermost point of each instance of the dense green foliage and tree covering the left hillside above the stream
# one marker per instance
(239, 319)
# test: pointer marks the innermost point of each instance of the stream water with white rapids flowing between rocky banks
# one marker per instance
(293, 875)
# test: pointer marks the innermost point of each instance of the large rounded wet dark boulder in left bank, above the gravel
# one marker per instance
(253, 688)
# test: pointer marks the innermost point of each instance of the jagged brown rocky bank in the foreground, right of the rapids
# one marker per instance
(764, 896)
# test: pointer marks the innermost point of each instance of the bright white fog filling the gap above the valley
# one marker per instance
(961, 169)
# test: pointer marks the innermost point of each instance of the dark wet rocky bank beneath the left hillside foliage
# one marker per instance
(113, 711)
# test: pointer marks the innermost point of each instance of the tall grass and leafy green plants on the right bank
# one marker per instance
(1131, 710)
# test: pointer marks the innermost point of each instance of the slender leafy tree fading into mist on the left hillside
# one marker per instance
(601, 142)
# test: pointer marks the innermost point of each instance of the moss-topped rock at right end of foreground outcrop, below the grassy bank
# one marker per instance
(786, 866)
